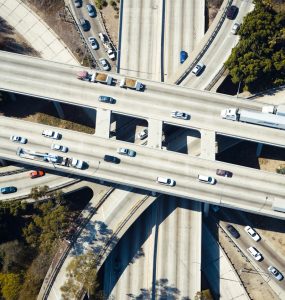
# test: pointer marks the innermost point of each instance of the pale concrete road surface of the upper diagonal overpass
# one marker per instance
(24, 74)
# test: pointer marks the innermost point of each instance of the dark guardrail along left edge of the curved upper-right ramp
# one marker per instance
(206, 46)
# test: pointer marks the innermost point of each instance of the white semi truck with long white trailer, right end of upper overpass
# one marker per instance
(272, 120)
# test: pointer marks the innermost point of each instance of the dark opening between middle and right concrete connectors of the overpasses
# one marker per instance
(182, 140)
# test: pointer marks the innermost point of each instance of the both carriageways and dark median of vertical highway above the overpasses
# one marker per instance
(153, 34)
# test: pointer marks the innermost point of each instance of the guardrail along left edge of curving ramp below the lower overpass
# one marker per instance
(64, 254)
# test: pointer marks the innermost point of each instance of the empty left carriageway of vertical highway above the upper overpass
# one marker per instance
(141, 39)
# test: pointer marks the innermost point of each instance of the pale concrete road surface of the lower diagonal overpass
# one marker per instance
(246, 190)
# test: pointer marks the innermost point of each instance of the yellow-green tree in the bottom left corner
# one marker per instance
(10, 285)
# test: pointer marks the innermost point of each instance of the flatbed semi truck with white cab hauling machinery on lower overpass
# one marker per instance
(47, 157)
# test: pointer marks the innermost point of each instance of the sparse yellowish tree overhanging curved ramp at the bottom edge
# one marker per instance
(82, 275)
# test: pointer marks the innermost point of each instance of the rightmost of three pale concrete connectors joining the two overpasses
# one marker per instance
(208, 144)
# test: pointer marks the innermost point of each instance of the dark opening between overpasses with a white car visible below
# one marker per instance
(129, 129)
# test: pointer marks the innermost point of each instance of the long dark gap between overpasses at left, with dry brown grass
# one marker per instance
(48, 112)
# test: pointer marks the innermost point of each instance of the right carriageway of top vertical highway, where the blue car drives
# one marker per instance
(184, 28)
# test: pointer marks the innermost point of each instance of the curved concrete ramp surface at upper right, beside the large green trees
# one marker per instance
(220, 49)
